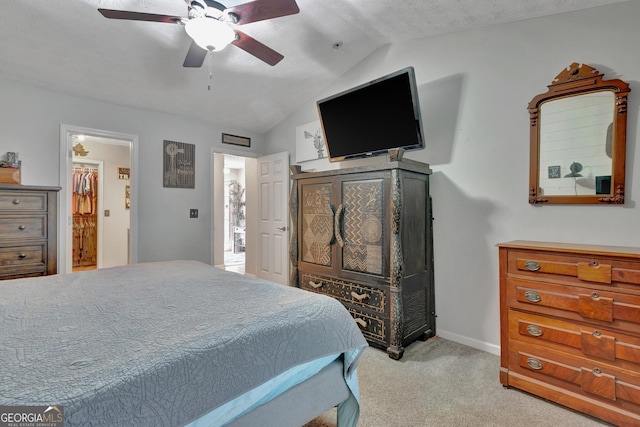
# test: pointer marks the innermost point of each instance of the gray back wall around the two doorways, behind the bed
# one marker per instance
(30, 120)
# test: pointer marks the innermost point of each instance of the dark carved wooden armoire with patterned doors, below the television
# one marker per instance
(364, 236)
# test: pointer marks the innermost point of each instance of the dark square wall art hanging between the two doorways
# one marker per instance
(179, 164)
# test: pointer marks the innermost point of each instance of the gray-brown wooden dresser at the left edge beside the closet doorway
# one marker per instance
(28, 231)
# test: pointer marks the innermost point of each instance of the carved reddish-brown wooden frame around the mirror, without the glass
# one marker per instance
(579, 79)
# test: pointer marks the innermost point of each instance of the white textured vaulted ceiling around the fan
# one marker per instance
(67, 46)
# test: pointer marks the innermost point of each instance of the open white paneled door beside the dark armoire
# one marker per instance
(273, 217)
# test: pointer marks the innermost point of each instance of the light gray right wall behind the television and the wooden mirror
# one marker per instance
(474, 89)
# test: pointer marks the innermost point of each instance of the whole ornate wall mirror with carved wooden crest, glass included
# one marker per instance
(578, 139)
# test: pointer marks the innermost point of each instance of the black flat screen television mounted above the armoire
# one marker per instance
(373, 118)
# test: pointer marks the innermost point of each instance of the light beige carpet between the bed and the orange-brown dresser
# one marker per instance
(443, 383)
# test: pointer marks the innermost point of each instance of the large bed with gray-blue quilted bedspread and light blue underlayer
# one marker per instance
(176, 343)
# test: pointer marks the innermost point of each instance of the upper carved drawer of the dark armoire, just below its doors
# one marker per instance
(346, 292)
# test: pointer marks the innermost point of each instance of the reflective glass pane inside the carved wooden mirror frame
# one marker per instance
(576, 145)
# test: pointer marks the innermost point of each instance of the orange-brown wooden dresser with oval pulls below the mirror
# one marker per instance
(570, 326)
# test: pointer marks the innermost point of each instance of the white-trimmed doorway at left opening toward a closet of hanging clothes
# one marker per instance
(97, 202)
